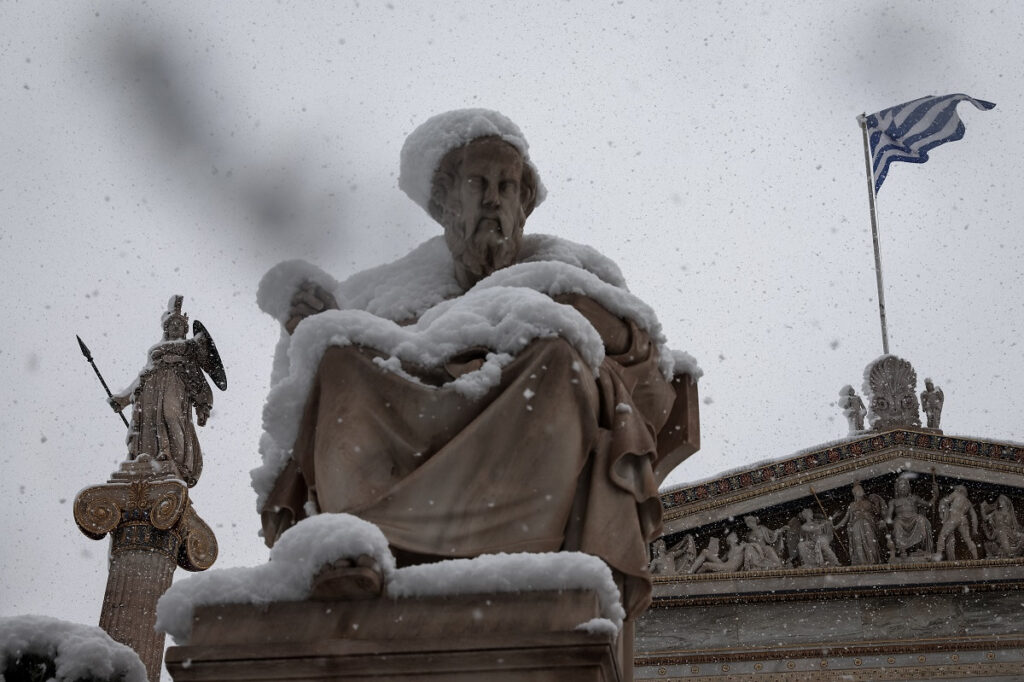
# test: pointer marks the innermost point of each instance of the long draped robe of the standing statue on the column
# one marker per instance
(162, 405)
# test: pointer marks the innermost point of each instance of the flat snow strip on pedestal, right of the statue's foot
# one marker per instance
(514, 573)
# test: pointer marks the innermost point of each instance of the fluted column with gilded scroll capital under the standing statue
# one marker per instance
(154, 530)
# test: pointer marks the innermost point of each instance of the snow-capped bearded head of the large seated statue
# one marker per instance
(471, 170)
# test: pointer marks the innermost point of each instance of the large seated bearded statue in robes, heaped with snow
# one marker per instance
(491, 392)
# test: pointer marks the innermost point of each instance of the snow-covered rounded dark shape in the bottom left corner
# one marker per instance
(78, 652)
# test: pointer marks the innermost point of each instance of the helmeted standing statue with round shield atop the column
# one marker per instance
(165, 393)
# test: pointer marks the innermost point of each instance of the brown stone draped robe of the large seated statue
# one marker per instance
(552, 458)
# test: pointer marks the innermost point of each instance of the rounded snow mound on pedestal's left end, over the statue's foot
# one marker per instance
(295, 560)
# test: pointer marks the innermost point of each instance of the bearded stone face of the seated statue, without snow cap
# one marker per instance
(484, 211)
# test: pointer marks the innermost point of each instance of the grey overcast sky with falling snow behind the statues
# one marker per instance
(711, 149)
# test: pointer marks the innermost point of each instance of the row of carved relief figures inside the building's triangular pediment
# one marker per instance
(898, 511)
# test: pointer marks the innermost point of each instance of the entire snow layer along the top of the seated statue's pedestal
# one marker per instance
(317, 542)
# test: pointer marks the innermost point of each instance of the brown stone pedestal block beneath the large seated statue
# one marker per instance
(496, 637)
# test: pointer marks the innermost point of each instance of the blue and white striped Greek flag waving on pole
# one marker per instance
(909, 132)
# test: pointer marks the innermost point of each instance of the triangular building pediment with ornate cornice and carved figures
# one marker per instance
(885, 510)
